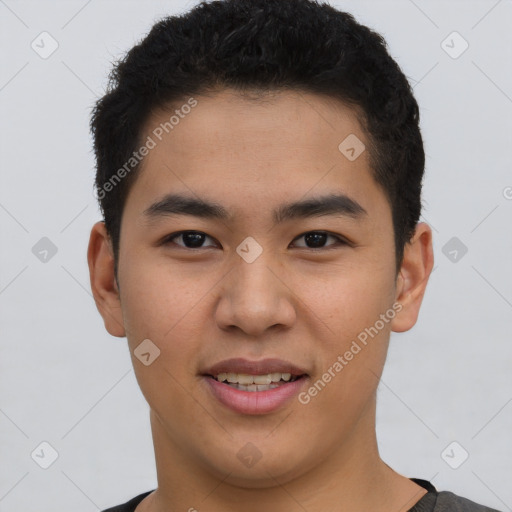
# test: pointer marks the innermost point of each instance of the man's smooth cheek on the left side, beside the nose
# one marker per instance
(159, 306)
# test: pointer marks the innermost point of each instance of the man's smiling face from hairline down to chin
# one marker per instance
(278, 258)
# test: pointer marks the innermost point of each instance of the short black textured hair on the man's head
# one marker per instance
(263, 45)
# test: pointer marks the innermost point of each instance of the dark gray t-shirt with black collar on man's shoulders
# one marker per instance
(433, 501)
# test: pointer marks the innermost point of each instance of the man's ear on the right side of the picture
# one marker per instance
(413, 276)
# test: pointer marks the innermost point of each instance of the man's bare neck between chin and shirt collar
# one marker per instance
(351, 478)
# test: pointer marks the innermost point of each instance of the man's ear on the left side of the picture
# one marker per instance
(103, 283)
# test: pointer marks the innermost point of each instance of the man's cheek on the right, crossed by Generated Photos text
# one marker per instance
(352, 352)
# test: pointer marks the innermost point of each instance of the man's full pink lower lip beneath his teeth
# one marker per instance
(255, 402)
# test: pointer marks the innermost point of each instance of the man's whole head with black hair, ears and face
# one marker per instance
(251, 113)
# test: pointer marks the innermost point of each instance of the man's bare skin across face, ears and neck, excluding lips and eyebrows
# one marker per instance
(304, 305)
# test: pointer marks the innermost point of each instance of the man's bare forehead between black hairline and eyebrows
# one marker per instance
(238, 149)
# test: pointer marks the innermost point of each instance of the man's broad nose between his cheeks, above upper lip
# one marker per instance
(255, 297)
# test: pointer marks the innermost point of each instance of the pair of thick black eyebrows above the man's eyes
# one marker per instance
(333, 204)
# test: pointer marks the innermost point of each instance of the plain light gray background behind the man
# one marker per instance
(65, 381)
